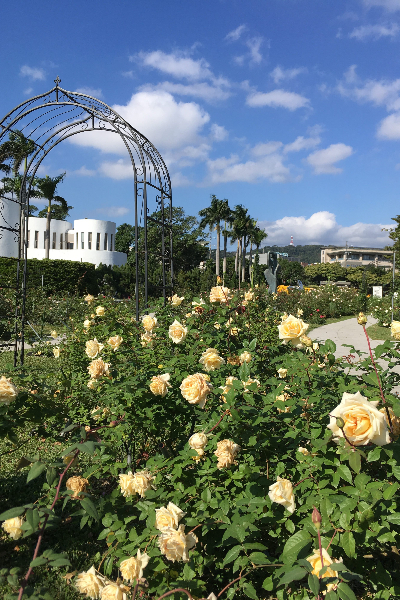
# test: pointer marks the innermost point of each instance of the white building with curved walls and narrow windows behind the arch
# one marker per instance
(89, 240)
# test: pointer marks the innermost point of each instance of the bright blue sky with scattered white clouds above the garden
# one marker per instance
(290, 107)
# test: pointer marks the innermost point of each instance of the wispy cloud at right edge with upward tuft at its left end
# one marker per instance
(383, 92)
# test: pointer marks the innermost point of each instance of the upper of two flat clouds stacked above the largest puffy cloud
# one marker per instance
(177, 64)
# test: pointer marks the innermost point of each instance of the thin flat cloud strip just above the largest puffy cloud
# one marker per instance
(216, 91)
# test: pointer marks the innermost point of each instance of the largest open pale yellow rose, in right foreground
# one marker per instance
(363, 423)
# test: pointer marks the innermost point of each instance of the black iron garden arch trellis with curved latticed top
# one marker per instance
(53, 117)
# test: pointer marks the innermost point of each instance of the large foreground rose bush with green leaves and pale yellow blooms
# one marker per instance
(234, 518)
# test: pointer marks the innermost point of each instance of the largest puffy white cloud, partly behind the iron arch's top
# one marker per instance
(168, 124)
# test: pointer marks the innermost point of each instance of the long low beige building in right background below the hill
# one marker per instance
(352, 256)
